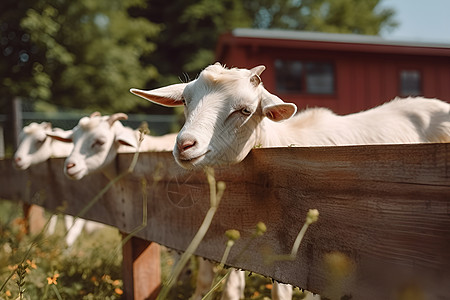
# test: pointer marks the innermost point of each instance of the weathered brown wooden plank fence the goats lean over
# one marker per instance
(383, 230)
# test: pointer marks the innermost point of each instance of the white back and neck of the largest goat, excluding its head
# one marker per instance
(400, 121)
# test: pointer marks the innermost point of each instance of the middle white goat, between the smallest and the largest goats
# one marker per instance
(97, 140)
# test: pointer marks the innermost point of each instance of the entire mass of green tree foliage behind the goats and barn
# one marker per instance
(87, 54)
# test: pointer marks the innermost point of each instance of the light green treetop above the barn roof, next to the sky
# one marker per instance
(340, 16)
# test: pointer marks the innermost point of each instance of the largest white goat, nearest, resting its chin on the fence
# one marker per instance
(228, 112)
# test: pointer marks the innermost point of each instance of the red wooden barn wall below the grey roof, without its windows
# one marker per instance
(364, 78)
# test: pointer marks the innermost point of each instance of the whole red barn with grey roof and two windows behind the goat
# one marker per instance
(344, 72)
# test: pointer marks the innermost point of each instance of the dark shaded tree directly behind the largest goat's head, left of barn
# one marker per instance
(189, 33)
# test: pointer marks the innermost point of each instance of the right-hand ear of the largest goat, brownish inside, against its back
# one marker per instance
(275, 109)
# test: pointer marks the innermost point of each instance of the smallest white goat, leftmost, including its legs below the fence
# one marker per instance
(36, 147)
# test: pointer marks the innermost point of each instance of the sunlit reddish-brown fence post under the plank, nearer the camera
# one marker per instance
(141, 269)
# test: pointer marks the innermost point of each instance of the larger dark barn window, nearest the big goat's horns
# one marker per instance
(305, 77)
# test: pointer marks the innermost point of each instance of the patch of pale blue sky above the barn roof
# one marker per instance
(419, 20)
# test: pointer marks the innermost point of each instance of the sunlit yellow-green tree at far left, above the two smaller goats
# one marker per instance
(81, 54)
